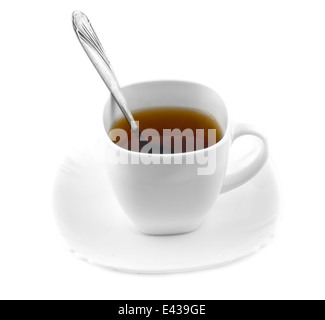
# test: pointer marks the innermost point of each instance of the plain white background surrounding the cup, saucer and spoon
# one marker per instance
(265, 58)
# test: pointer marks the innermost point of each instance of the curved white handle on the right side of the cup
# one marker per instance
(242, 176)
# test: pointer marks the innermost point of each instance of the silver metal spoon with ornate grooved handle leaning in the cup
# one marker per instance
(95, 51)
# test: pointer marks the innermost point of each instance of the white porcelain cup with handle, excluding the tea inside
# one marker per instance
(172, 194)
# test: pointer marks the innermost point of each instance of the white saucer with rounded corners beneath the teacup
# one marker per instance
(95, 228)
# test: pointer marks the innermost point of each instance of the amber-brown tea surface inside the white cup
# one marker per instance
(180, 130)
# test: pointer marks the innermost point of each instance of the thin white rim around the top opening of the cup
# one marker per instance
(174, 155)
